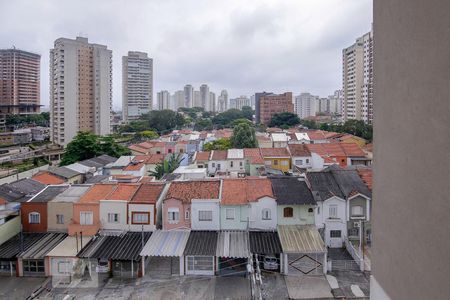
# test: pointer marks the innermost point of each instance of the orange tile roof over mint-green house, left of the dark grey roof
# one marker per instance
(244, 190)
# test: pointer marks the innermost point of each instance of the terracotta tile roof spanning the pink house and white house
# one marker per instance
(188, 190)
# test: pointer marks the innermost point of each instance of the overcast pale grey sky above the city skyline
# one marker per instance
(242, 46)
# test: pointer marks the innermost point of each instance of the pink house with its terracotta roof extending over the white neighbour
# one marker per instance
(176, 208)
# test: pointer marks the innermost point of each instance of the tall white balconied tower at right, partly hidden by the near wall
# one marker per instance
(357, 80)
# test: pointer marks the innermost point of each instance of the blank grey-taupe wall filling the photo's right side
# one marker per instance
(411, 157)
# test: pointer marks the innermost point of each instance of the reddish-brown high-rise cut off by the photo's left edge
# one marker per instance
(19, 82)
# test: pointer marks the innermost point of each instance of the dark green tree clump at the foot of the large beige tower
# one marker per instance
(86, 145)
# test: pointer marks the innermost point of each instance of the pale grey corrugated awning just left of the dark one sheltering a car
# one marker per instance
(233, 244)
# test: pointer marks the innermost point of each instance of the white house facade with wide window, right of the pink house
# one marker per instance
(205, 214)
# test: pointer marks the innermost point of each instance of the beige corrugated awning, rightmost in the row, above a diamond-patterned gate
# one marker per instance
(300, 239)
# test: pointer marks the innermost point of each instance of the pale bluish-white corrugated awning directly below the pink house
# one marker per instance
(166, 243)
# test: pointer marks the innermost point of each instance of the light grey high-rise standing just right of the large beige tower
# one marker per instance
(137, 85)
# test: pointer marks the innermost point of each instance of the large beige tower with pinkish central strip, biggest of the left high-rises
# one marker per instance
(80, 89)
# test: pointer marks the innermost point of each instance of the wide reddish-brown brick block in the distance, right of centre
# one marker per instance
(274, 104)
